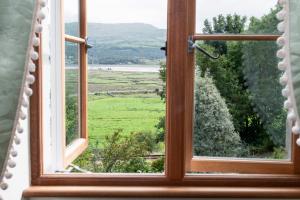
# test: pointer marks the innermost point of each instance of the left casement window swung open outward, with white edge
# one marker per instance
(68, 130)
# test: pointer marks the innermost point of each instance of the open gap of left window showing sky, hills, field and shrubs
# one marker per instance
(126, 83)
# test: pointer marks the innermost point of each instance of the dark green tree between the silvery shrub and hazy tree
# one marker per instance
(228, 75)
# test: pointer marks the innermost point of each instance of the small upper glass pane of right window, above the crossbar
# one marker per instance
(235, 16)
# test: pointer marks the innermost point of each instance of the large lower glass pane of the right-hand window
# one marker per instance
(238, 103)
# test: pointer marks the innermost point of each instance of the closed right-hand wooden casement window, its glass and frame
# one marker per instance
(239, 124)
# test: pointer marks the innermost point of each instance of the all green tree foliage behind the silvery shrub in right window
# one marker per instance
(234, 85)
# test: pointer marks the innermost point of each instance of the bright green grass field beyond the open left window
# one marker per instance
(131, 113)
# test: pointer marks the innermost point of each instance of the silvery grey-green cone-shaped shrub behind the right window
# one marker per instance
(214, 133)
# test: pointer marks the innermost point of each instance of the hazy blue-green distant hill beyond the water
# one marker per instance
(135, 43)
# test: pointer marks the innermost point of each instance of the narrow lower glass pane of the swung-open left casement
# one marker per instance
(72, 92)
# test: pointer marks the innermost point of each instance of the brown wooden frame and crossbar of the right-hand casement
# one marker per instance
(223, 165)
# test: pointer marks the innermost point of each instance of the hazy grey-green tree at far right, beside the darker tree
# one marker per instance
(262, 77)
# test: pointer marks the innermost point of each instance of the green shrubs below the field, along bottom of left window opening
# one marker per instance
(122, 154)
